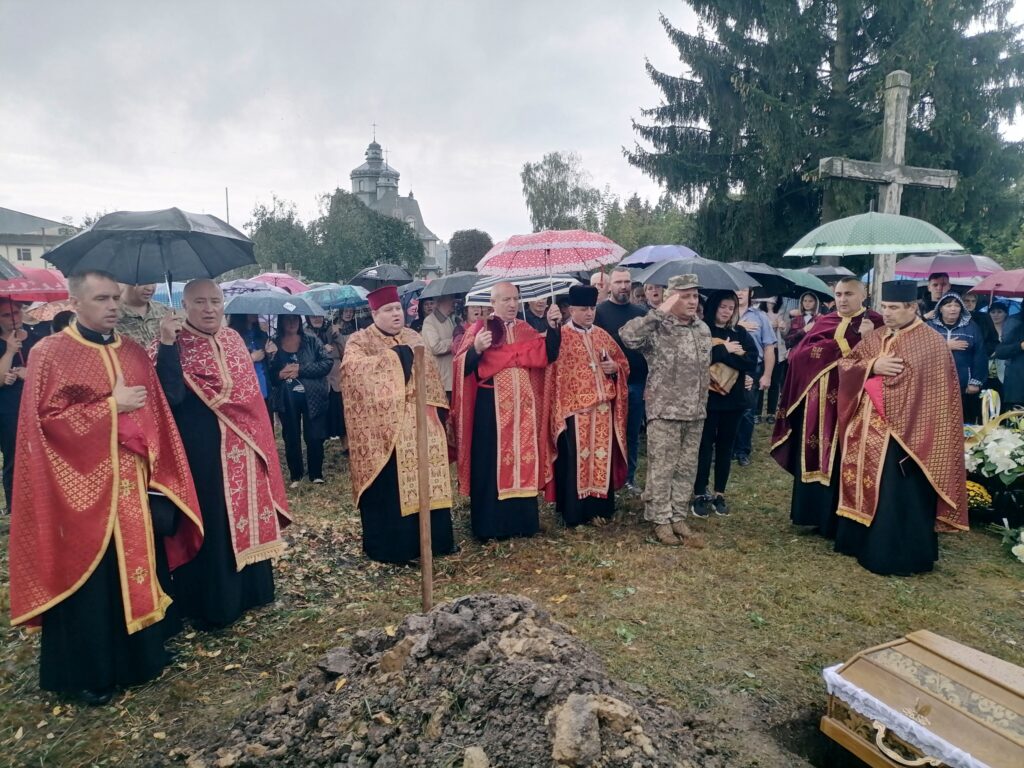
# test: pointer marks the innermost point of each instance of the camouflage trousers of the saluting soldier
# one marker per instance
(673, 447)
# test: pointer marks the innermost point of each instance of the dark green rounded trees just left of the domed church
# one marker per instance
(347, 238)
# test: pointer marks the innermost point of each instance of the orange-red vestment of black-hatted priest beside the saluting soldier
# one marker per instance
(576, 387)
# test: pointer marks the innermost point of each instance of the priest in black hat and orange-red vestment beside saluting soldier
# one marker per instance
(586, 401)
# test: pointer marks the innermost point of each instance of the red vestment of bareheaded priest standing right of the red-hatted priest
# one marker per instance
(518, 369)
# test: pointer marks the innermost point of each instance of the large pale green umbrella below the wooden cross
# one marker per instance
(873, 234)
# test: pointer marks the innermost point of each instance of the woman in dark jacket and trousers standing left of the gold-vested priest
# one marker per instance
(300, 368)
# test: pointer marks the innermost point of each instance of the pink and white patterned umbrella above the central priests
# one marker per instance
(550, 252)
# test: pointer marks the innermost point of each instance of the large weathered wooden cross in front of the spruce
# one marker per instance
(890, 174)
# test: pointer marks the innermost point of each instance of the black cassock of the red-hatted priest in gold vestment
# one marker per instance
(388, 536)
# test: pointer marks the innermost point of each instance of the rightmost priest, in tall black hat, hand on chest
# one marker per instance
(903, 473)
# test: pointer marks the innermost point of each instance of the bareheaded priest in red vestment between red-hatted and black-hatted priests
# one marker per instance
(497, 402)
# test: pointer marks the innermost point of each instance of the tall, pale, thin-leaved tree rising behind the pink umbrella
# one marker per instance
(560, 194)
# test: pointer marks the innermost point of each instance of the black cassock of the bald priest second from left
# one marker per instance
(209, 589)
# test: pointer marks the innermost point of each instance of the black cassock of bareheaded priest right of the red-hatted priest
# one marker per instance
(490, 517)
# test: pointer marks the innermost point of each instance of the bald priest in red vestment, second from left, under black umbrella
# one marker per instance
(208, 376)
